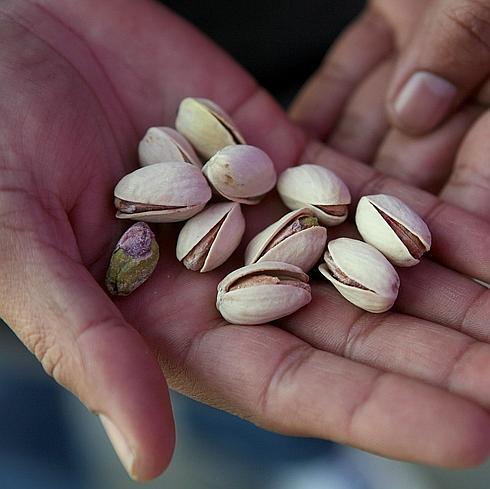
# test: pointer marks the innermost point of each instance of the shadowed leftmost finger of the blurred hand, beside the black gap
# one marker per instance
(319, 103)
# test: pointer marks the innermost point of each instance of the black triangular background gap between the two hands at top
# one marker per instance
(281, 42)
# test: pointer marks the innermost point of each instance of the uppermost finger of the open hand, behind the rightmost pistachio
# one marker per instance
(465, 251)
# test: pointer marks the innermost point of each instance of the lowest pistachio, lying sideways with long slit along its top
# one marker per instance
(262, 292)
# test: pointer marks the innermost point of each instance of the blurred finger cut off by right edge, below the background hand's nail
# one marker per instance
(469, 185)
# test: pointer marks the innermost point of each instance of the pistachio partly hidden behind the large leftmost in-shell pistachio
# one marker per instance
(162, 144)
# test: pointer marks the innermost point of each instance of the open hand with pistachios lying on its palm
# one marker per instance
(80, 85)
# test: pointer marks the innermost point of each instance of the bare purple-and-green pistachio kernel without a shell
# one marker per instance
(133, 260)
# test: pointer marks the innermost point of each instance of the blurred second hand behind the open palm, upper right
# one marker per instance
(350, 101)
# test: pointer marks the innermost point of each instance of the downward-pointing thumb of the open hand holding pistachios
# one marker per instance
(79, 335)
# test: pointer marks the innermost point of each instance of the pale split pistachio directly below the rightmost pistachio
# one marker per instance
(361, 274)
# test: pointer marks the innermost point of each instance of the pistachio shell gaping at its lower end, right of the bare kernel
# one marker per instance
(227, 240)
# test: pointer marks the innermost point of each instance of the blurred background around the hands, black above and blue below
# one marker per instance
(48, 440)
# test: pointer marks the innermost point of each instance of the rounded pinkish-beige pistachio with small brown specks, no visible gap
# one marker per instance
(241, 173)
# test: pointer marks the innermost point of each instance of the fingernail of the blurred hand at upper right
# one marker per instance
(423, 101)
